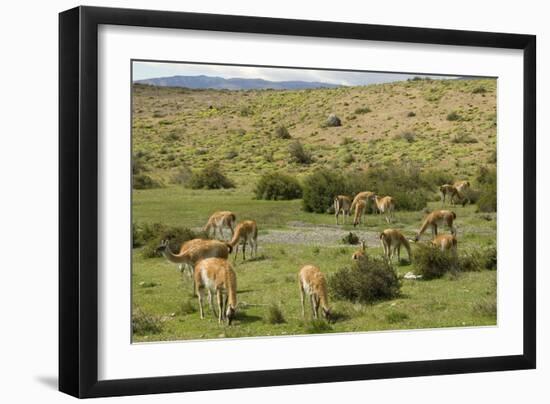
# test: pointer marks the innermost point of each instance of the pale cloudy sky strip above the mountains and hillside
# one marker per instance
(147, 70)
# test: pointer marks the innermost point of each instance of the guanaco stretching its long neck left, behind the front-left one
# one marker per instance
(194, 250)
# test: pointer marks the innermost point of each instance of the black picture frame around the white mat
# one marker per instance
(78, 201)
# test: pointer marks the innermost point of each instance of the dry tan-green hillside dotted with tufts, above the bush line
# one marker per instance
(444, 124)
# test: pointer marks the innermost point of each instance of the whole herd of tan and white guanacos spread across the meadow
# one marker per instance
(206, 261)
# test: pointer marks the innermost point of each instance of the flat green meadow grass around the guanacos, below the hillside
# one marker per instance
(159, 290)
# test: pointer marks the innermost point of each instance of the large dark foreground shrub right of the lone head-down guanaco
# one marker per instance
(365, 282)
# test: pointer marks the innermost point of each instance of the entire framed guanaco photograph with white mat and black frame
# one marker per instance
(251, 201)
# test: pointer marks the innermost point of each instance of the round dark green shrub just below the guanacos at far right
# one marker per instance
(433, 263)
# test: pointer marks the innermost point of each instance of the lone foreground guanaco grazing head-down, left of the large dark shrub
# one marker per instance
(313, 283)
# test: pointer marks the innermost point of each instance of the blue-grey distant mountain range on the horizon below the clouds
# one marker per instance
(219, 83)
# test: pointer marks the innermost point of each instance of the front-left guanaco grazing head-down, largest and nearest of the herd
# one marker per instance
(217, 276)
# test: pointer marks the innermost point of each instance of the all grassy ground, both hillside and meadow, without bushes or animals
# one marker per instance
(179, 128)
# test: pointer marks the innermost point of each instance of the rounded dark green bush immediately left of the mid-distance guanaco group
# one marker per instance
(320, 188)
